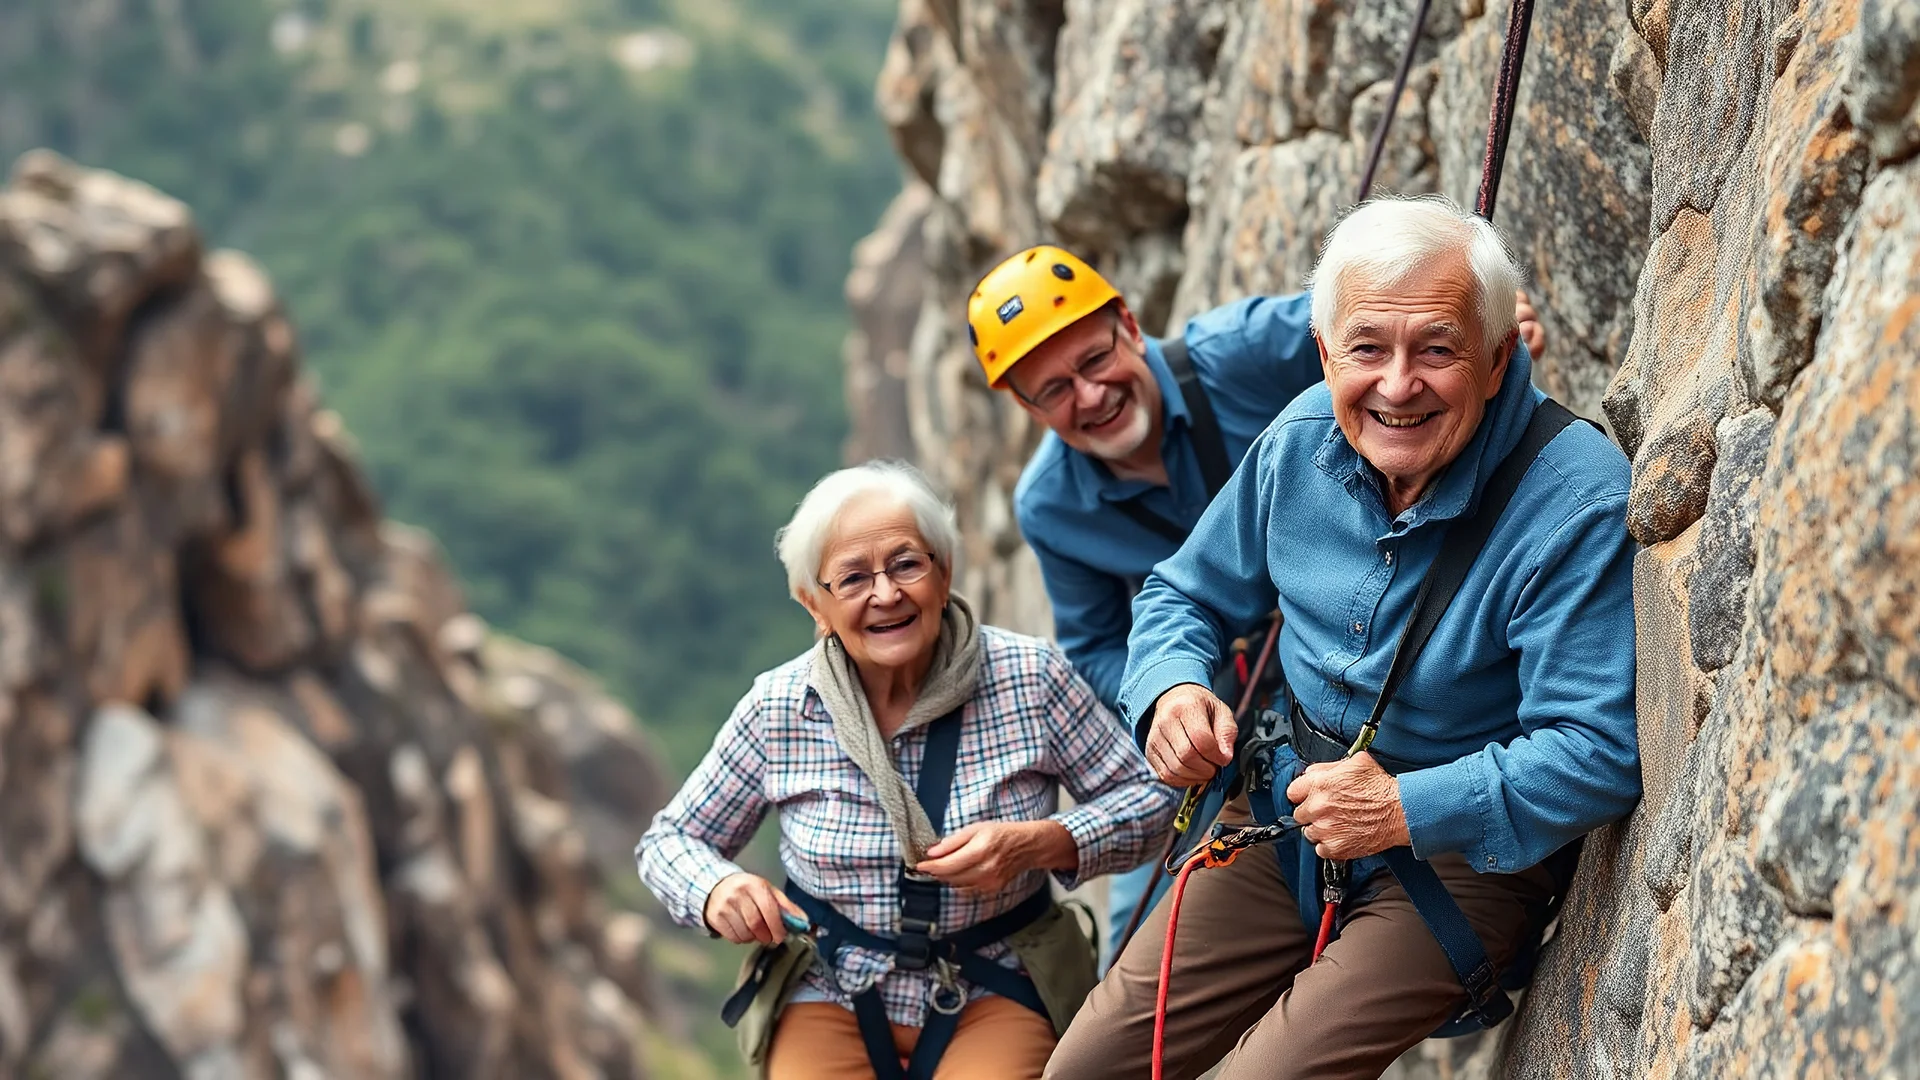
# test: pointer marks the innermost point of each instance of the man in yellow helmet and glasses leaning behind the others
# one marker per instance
(1141, 435)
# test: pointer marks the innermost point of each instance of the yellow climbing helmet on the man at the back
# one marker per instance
(1026, 301)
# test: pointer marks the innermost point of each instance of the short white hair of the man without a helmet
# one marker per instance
(1389, 239)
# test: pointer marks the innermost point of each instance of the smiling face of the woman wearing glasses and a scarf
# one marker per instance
(894, 626)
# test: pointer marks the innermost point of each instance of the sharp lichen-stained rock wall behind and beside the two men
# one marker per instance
(1721, 212)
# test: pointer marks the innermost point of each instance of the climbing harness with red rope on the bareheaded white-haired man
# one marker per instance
(1460, 549)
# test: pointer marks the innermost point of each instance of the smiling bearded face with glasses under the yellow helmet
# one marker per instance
(1111, 408)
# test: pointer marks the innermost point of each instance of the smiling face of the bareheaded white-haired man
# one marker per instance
(1410, 374)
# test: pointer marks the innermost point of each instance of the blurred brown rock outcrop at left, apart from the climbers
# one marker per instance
(272, 802)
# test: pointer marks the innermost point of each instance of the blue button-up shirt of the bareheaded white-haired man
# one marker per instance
(1520, 716)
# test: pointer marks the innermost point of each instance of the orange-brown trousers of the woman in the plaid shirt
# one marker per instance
(997, 1041)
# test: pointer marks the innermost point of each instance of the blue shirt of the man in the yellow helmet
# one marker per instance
(1253, 356)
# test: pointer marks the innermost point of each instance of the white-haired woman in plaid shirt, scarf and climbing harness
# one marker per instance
(917, 762)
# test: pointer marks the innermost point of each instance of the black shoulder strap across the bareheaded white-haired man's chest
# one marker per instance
(1458, 552)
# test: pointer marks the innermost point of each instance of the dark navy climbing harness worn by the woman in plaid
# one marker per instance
(921, 945)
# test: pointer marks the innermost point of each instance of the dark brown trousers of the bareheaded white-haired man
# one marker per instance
(1241, 979)
